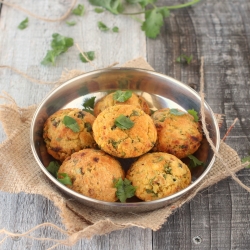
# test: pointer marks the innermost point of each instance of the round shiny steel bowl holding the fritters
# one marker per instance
(159, 90)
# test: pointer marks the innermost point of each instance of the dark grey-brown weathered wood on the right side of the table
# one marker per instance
(219, 31)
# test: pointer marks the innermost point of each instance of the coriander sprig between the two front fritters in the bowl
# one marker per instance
(124, 189)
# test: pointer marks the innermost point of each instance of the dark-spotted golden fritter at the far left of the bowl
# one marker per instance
(60, 140)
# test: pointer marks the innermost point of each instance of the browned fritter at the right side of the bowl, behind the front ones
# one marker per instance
(179, 135)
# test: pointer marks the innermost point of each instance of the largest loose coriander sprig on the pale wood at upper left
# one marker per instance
(59, 45)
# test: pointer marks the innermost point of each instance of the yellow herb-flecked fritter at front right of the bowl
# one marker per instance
(157, 175)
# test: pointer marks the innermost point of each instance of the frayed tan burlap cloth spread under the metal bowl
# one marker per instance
(21, 173)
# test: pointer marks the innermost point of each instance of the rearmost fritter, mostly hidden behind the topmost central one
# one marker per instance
(108, 101)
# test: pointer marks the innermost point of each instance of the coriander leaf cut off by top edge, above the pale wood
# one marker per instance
(114, 6)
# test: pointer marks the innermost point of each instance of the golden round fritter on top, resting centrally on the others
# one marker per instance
(124, 143)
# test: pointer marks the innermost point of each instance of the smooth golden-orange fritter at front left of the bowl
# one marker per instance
(93, 173)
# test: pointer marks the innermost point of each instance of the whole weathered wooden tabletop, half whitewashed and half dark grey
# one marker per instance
(218, 217)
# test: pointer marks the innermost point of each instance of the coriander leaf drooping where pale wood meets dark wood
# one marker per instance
(153, 22)
